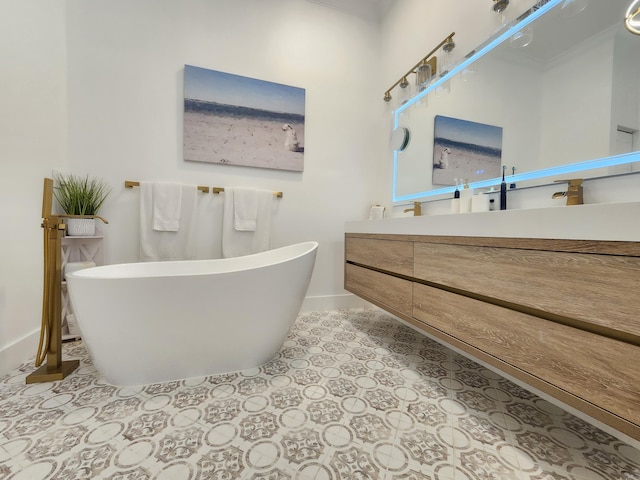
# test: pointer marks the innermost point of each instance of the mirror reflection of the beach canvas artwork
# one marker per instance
(465, 150)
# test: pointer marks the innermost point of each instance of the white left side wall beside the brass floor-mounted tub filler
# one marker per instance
(32, 139)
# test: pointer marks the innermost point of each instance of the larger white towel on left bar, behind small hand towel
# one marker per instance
(168, 245)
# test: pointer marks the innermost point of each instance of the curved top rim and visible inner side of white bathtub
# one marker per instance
(184, 268)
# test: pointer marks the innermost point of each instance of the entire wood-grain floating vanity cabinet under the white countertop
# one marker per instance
(559, 315)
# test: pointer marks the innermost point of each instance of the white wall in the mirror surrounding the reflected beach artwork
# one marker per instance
(482, 100)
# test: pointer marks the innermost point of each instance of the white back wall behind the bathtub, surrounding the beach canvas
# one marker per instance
(126, 64)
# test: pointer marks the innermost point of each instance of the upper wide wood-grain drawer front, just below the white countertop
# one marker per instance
(593, 291)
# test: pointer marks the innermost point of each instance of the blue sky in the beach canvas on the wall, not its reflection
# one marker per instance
(229, 89)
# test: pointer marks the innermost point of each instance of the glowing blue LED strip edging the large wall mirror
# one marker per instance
(535, 174)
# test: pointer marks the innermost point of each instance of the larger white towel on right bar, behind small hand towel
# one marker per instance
(236, 243)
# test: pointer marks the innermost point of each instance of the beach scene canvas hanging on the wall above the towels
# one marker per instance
(234, 120)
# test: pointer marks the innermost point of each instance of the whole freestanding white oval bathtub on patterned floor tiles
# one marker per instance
(158, 321)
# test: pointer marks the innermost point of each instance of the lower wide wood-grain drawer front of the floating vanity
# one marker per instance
(596, 374)
